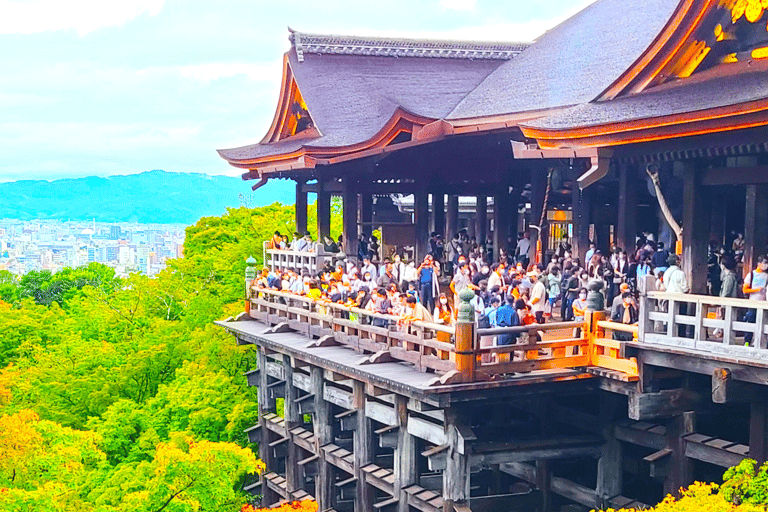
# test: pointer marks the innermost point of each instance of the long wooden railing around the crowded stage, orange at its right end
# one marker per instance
(463, 354)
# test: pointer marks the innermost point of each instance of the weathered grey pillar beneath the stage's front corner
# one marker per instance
(456, 476)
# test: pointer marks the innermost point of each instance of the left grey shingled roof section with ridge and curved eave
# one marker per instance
(354, 86)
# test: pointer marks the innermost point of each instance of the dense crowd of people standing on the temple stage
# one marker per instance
(509, 291)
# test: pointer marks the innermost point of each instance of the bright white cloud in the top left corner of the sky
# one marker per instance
(35, 16)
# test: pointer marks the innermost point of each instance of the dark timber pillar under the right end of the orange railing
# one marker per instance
(609, 466)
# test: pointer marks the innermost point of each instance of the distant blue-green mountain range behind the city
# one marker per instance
(150, 197)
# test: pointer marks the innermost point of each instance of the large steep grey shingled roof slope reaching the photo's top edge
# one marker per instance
(572, 63)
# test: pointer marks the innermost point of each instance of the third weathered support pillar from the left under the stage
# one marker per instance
(322, 424)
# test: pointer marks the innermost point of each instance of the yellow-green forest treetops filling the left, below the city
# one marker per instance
(120, 394)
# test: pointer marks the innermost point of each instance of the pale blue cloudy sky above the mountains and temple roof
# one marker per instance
(102, 87)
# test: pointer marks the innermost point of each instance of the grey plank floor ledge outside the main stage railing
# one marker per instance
(398, 377)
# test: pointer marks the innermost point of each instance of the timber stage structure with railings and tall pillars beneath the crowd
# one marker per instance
(390, 418)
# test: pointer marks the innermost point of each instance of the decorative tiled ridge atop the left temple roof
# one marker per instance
(402, 47)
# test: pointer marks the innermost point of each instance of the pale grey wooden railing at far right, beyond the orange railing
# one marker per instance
(705, 323)
